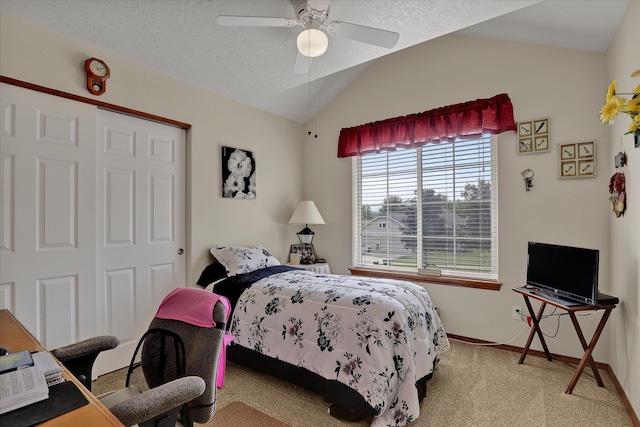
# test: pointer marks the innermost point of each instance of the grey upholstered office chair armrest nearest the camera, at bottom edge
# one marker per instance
(158, 400)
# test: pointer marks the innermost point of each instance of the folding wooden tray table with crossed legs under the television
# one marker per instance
(588, 349)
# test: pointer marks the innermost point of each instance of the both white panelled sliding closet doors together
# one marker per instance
(92, 226)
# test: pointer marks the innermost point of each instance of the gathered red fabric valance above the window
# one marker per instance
(464, 121)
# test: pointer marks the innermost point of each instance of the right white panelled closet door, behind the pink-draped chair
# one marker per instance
(141, 225)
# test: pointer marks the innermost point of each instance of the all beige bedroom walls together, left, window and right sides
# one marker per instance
(566, 85)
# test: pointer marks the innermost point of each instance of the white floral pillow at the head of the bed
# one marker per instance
(239, 260)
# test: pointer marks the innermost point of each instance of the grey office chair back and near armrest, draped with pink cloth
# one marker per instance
(184, 341)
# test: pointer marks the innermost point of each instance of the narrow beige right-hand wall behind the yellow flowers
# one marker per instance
(622, 60)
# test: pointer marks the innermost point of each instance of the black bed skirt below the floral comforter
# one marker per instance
(346, 403)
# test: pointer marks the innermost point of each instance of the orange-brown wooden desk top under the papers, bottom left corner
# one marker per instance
(16, 337)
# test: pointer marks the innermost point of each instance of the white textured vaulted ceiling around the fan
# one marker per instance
(255, 65)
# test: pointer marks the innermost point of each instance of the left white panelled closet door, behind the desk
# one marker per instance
(48, 214)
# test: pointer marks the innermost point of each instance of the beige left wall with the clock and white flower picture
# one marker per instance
(36, 55)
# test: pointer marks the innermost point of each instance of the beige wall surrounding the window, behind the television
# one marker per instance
(566, 85)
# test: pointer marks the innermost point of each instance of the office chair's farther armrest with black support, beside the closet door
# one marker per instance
(78, 358)
